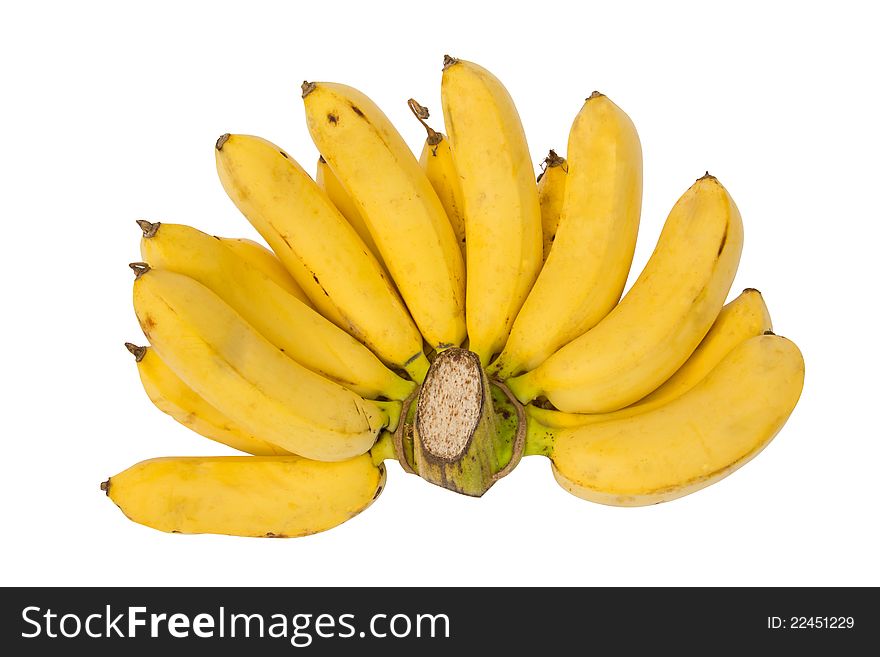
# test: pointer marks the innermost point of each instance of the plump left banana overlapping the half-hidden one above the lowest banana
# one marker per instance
(236, 370)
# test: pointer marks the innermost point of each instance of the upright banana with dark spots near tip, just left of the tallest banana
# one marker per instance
(398, 204)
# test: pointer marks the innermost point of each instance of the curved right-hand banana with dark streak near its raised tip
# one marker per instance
(660, 321)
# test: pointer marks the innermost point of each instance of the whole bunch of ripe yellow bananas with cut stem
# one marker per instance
(449, 313)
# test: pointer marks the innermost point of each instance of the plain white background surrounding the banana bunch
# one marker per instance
(110, 112)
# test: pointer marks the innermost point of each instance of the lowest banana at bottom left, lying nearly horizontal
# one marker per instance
(274, 497)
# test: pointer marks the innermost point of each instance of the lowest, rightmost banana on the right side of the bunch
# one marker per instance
(688, 443)
